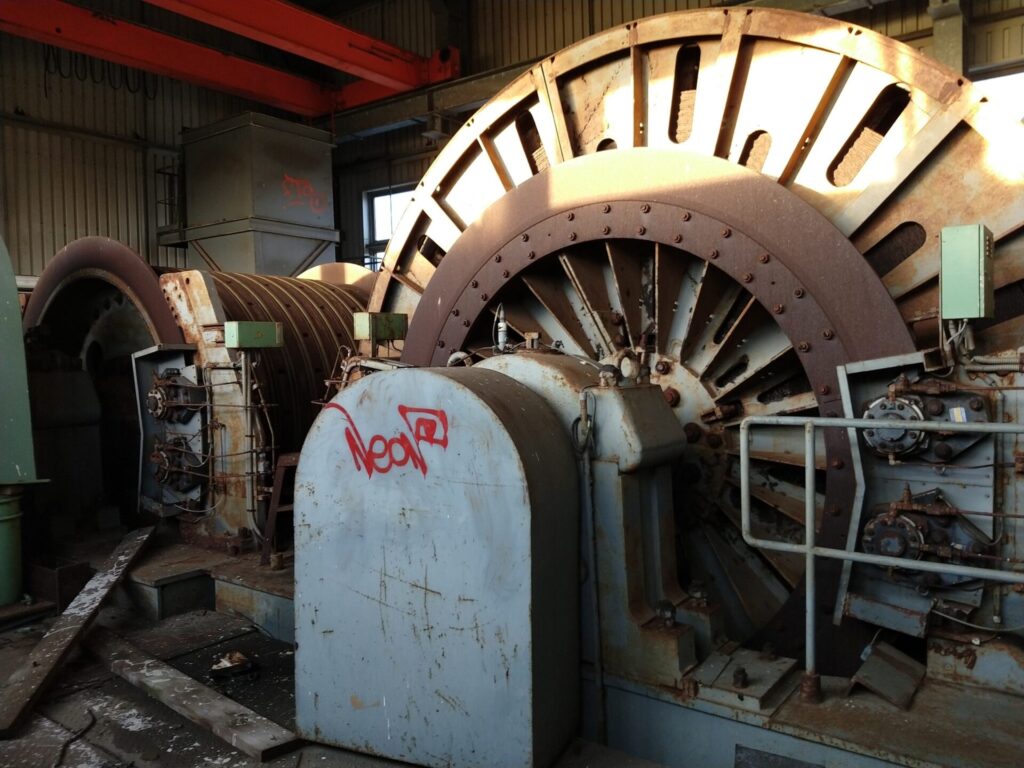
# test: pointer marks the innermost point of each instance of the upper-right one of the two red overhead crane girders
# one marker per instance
(309, 35)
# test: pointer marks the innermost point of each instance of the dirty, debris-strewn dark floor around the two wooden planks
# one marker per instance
(92, 719)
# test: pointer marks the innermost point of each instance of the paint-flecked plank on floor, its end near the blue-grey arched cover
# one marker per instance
(238, 726)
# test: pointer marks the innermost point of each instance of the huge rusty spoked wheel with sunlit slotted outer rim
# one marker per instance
(749, 199)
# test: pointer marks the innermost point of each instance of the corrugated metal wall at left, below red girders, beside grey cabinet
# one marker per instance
(80, 144)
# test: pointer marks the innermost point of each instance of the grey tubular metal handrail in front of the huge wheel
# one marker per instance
(810, 550)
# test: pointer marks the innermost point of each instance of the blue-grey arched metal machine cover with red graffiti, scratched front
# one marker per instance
(437, 572)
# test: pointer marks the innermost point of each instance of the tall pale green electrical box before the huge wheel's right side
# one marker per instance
(966, 278)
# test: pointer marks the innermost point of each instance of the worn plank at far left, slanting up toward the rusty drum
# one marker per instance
(26, 686)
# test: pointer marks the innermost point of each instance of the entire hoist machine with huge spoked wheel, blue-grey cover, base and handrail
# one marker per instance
(731, 301)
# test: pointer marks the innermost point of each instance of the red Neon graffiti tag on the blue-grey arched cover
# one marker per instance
(425, 428)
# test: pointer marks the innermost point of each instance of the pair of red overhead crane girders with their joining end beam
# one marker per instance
(387, 70)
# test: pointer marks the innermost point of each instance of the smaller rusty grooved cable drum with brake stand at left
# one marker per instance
(176, 395)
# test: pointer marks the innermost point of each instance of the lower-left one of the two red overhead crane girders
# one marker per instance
(70, 27)
